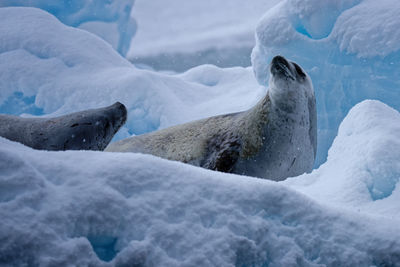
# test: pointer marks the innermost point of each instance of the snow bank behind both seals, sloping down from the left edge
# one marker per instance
(59, 69)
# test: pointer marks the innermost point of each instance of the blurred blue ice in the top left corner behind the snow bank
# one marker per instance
(109, 19)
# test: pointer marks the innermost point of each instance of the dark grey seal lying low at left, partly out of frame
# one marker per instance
(85, 130)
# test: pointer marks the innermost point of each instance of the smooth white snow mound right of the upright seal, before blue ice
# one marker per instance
(363, 168)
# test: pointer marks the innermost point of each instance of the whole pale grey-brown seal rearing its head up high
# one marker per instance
(275, 139)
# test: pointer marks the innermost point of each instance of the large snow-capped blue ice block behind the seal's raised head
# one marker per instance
(350, 49)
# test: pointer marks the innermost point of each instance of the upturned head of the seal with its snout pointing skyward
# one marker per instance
(287, 80)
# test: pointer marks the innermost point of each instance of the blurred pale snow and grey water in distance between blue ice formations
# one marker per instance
(178, 35)
